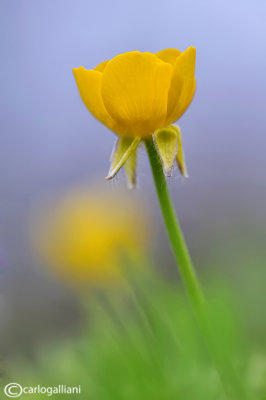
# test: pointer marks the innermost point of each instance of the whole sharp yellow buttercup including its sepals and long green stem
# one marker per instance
(139, 96)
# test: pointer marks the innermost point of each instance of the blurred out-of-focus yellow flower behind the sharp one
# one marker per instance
(85, 237)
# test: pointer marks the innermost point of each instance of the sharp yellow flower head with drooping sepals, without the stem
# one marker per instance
(138, 95)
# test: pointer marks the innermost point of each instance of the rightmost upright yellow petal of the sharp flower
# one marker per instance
(182, 85)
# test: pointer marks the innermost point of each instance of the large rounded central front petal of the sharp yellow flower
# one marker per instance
(135, 90)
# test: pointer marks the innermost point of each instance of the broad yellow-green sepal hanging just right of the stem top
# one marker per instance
(167, 142)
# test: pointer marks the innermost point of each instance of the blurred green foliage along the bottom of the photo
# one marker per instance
(147, 345)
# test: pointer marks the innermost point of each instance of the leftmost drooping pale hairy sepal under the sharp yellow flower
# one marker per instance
(123, 149)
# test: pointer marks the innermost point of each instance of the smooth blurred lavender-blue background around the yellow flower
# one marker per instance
(50, 143)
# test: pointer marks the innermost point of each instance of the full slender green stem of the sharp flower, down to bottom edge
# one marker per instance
(229, 380)
